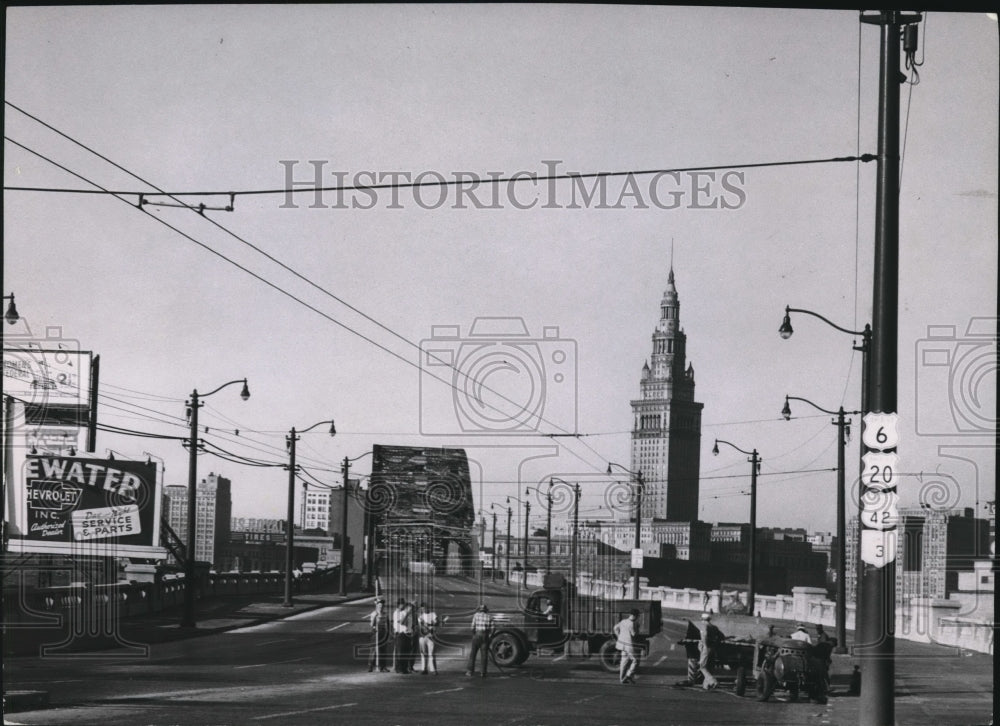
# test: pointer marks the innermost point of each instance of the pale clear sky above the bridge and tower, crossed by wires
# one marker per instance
(256, 98)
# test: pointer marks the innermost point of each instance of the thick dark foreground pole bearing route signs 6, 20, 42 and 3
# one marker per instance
(876, 646)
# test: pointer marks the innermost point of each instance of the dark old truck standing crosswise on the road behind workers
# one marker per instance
(557, 619)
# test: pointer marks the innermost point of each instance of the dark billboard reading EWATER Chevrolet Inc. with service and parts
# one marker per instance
(101, 507)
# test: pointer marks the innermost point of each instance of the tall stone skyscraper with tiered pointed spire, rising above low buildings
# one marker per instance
(666, 426)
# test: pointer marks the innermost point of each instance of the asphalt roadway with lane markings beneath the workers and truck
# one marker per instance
(256, 662)
